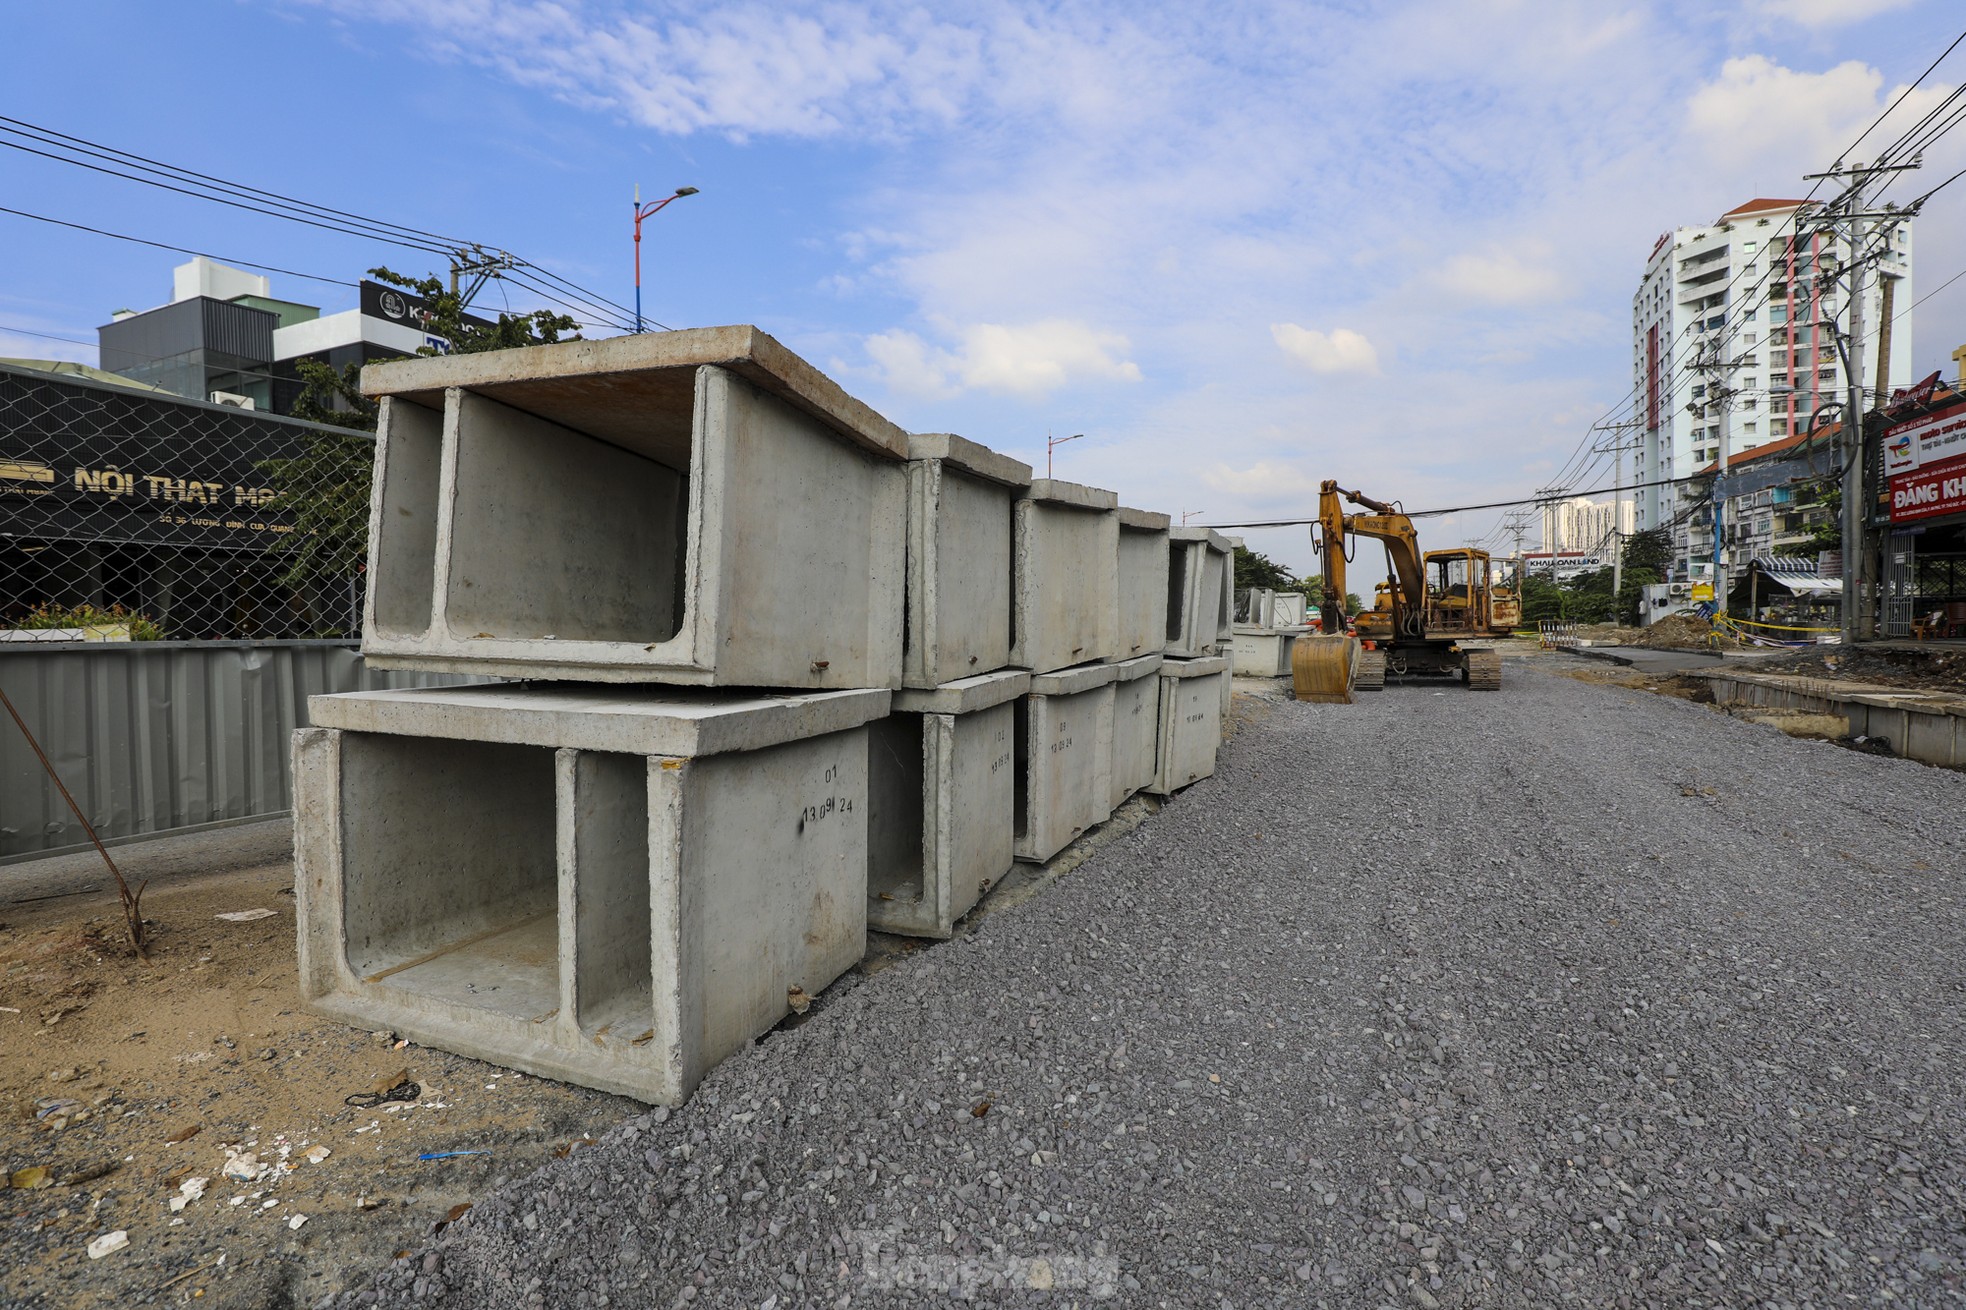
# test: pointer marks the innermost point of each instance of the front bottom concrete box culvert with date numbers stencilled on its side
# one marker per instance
(608, 886)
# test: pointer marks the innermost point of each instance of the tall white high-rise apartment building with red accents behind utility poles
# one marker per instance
(1733, 345)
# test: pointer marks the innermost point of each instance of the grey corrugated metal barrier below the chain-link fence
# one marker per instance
(154, 737)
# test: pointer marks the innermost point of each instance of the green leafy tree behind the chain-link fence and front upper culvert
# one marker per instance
(325, 491)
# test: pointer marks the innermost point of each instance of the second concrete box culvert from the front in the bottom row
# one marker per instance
(943, 802)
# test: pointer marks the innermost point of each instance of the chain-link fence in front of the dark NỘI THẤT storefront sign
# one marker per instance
(137, 514)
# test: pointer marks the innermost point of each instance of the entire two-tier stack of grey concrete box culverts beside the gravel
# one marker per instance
(766, 672)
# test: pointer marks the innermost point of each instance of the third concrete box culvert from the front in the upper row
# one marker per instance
(1065, 577)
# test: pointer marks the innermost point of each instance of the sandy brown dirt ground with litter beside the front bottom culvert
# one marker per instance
(129, 1079)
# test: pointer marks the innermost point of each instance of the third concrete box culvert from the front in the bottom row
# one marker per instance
(1065, 758)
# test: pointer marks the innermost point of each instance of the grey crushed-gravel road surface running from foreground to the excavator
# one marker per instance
(1566, 996)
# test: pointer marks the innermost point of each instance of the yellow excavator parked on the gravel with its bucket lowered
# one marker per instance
(1422, 617)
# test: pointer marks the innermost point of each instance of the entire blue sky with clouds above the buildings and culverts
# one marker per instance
(1240, 247)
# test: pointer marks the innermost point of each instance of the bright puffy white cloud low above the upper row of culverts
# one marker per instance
(1029, 361)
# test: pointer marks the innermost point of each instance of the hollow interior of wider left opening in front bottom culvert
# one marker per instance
(451, 874)
